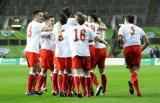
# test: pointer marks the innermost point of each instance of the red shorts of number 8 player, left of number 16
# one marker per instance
(62, 63)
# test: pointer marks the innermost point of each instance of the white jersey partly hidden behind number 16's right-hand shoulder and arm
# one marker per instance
(94, 27)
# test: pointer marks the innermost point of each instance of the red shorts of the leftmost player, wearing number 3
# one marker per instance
(32, 59)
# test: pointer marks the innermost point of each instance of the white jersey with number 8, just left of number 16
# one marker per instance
(62, 48)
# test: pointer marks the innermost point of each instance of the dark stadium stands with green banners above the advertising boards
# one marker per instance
(16, 14)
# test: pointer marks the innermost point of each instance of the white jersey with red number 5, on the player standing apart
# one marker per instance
(132, 34)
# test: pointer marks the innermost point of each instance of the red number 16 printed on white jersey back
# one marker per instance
(82, 35)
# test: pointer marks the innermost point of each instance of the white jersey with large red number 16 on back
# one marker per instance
(79, 40)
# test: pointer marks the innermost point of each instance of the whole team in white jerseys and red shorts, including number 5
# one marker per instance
(71, 49)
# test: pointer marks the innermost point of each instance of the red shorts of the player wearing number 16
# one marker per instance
(81, 63)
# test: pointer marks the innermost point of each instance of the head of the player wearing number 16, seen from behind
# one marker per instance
(80, 18)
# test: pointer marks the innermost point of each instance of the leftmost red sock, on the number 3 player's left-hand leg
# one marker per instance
(30, 83)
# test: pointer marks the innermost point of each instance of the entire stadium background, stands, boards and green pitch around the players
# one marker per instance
(14, 17)
